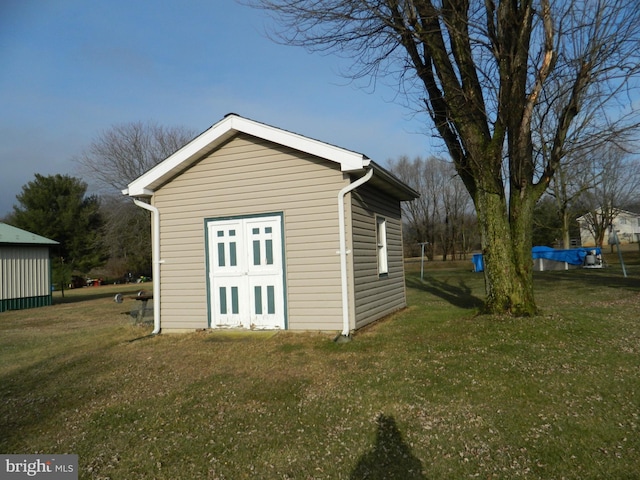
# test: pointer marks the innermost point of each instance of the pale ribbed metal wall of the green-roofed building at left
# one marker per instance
(25, 278)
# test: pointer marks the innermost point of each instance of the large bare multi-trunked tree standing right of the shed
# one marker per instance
(483, 68)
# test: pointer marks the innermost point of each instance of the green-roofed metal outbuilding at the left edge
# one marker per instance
(25, 269)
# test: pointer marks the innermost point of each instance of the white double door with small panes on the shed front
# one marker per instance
(246, 272)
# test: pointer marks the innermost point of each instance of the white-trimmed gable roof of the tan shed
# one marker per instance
(231, 125)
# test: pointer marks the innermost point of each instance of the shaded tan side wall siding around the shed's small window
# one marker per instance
(376, 295)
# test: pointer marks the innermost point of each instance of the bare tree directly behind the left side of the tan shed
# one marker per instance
(114, 159)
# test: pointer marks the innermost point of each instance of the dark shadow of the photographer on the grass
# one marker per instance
(391, 457)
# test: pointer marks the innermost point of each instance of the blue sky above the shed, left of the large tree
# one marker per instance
(70, 69)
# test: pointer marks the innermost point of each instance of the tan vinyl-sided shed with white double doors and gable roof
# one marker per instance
(260, 228)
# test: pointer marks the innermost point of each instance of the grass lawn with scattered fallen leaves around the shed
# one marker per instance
(433, 392)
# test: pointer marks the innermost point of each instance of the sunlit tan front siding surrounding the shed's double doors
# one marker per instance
(247, 176)
